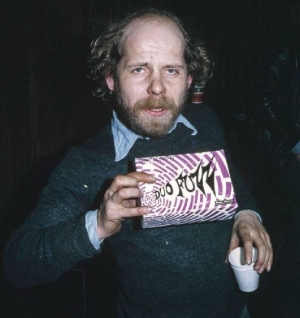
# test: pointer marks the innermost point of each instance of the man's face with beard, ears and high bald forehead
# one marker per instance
(152, 79)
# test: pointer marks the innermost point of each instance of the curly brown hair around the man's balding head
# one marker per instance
(107, 51)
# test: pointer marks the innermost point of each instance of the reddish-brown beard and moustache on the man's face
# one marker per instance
(154, 127)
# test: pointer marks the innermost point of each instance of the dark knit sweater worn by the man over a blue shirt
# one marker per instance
(175, 271)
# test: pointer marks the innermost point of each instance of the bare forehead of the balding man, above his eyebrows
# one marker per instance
(153, 34)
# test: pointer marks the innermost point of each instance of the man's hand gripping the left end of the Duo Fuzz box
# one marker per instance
(119, 203)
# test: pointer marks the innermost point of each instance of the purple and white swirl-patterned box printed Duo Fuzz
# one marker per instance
(189, 188)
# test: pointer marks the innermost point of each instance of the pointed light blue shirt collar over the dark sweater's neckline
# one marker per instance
(124, 138)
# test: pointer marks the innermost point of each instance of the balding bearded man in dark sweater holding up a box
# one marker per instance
(148, 62)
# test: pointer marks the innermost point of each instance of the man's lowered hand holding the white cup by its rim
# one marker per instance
(249, 230)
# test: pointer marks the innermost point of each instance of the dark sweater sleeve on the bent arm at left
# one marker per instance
(53, 238)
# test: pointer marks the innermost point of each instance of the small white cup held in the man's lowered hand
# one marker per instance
(247, 278)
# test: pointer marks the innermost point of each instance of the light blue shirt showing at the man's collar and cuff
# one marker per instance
(124, 139)
